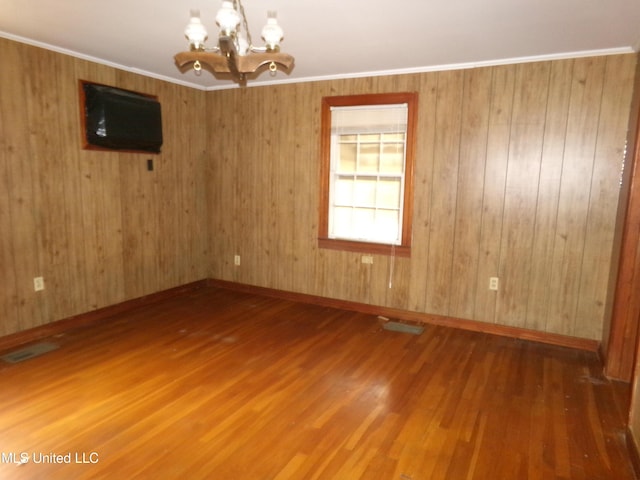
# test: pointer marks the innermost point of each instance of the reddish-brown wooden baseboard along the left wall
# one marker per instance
(94, 316)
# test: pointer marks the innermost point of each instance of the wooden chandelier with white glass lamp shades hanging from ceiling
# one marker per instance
(235, 53)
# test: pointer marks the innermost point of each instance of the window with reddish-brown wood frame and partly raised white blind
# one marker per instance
(367, 172)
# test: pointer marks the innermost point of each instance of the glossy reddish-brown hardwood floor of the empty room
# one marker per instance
(219, 384)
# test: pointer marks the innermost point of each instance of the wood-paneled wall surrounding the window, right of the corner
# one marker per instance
(517, 176)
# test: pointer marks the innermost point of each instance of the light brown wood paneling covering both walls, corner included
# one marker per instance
(517, 176)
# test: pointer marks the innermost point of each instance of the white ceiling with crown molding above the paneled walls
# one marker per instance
(332, 38)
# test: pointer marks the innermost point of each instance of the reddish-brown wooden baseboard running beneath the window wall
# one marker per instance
(471, 325)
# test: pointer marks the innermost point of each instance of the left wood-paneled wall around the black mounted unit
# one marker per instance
(98, 226)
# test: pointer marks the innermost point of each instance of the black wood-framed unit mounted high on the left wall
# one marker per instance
(118, 119)
